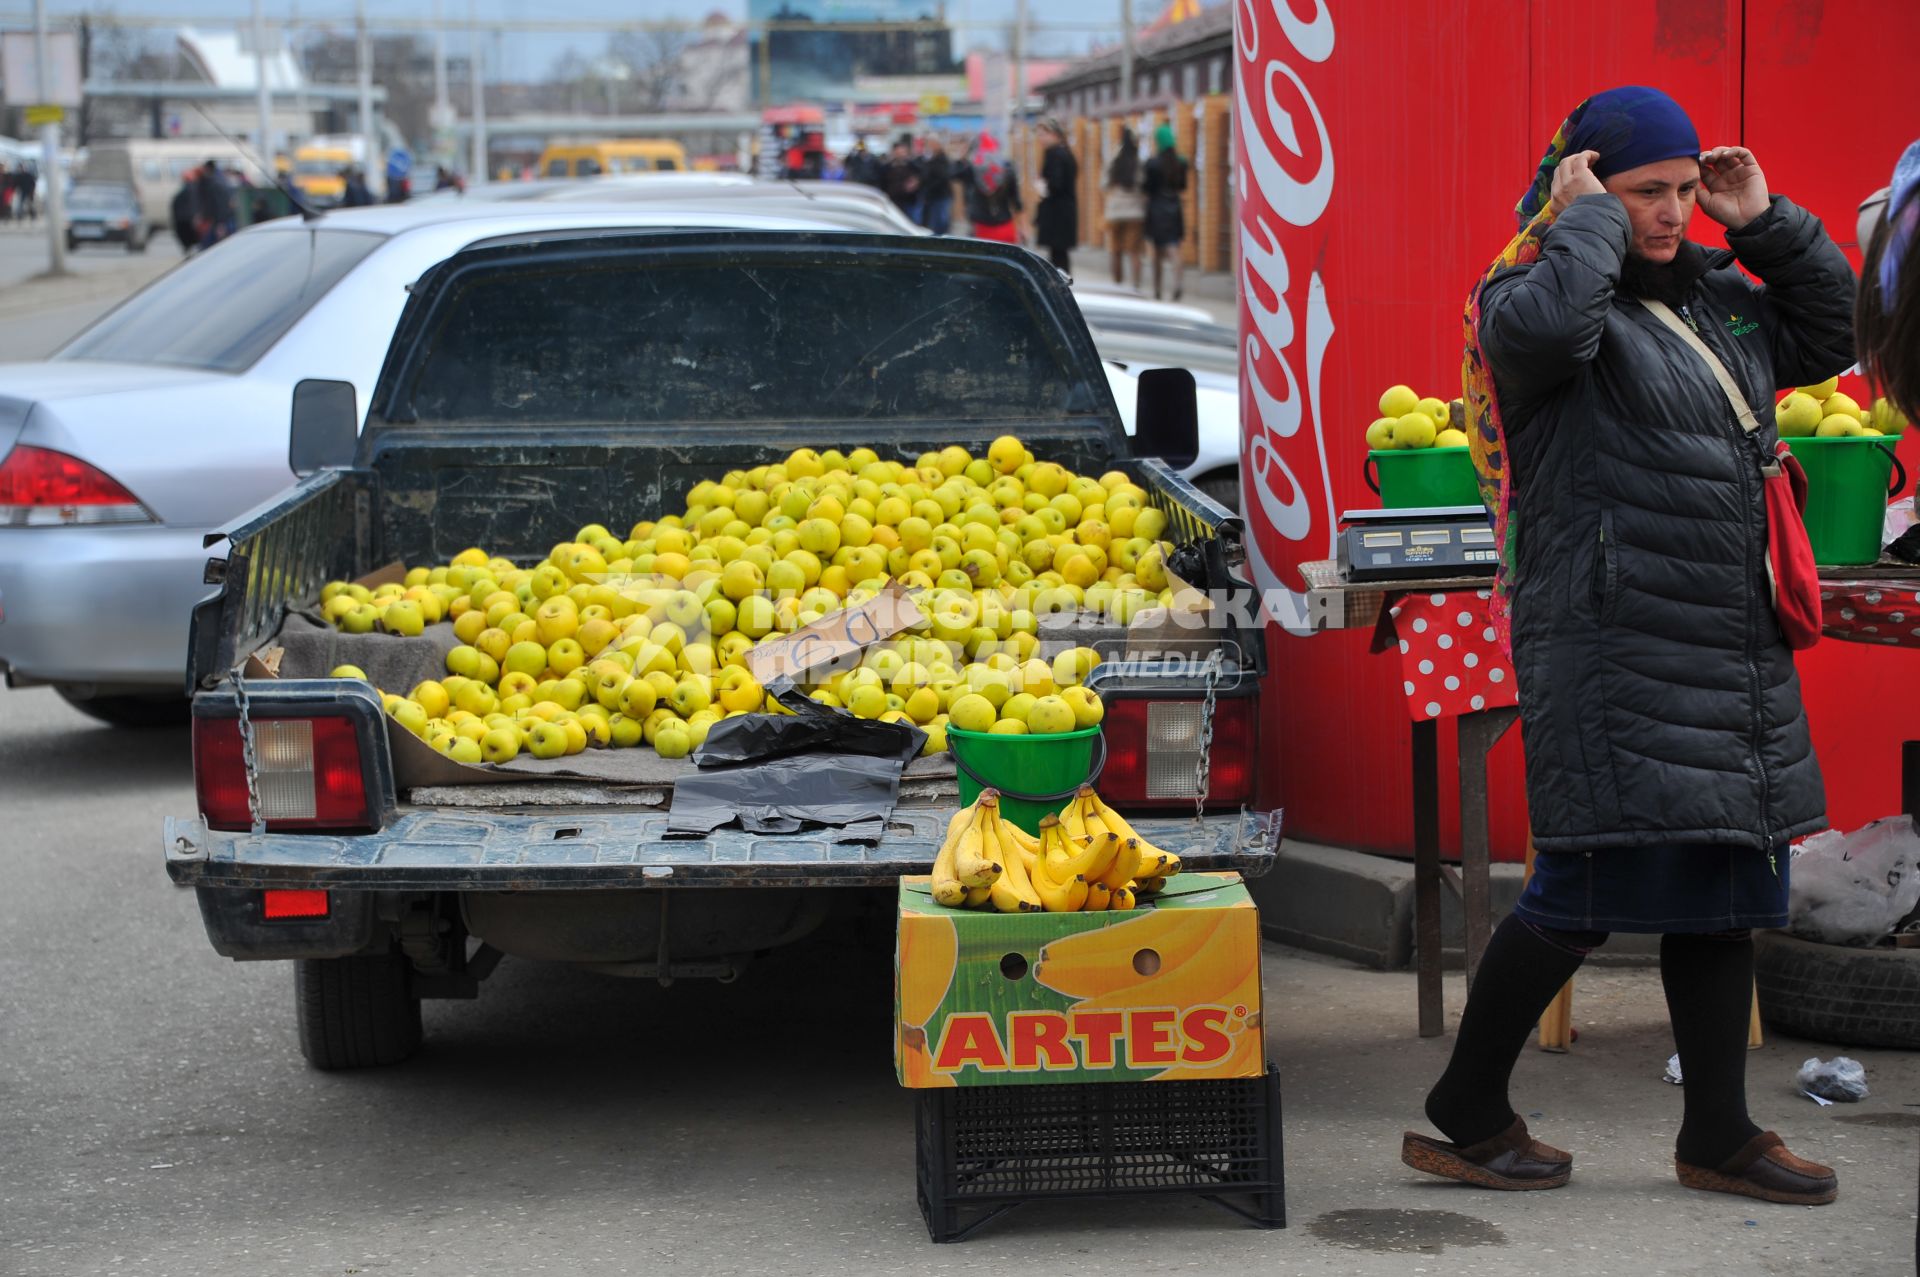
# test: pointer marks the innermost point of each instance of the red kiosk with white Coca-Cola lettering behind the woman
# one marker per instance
(1380, 149)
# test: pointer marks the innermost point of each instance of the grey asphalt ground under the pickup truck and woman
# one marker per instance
(156, 1115)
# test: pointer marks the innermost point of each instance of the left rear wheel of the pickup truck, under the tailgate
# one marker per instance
(356, 1013)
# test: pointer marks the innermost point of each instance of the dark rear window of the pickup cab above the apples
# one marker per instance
(773, 341)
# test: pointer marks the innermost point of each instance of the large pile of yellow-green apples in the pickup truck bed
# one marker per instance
(642, 640)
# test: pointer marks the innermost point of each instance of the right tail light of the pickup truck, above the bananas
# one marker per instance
(1155, 744)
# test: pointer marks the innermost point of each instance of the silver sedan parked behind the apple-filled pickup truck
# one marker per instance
(170, 416)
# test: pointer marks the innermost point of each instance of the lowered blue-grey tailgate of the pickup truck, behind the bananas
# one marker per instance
(558, 852)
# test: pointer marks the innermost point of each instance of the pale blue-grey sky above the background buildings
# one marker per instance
(1061, 28)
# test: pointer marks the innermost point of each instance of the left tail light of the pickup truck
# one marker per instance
(308, 775)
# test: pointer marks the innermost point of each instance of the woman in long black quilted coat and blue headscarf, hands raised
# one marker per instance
(1668, 752)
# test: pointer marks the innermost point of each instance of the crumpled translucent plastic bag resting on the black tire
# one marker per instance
(1856, 888)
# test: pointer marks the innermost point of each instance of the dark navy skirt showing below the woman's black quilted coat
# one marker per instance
(1658, 890)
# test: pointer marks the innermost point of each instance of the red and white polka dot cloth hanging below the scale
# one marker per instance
(1451, 660)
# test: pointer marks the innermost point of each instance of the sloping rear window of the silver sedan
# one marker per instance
(226, 308)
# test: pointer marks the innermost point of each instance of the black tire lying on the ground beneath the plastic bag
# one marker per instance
(1836, 994)
